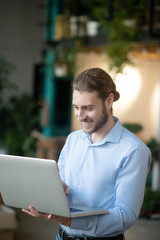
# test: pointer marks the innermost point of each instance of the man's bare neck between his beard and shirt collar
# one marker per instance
(99, 135)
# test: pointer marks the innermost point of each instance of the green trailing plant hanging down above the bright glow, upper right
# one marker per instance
(121, 22)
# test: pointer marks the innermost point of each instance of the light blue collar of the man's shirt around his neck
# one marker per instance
(114, 135)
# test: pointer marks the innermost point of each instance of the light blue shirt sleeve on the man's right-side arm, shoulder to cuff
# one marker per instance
(128, 198)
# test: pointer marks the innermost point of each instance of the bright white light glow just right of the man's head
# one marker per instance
(128, 85)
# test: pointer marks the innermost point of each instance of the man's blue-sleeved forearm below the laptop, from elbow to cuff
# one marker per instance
(117, 220)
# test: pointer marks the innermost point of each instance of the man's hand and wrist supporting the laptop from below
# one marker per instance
(58, 219)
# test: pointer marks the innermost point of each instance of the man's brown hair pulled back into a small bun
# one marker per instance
(96, 79)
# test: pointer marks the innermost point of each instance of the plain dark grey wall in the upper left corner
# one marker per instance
(21, 34)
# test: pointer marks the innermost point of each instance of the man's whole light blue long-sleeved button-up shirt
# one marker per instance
(109, 174)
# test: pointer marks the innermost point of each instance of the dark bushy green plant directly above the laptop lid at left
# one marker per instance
(18, 119)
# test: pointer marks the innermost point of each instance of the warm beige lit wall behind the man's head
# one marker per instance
(139, 90)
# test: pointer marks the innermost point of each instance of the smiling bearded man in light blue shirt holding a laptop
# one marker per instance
(102, 165)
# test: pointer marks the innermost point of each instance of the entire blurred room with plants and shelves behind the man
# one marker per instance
(43, 45)
